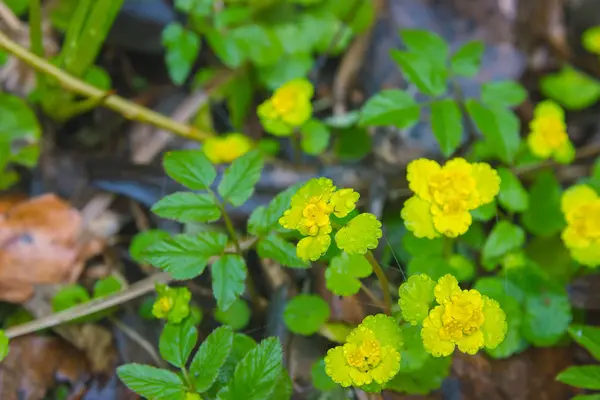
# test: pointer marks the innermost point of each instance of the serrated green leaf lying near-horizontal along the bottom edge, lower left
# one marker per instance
(153, 383)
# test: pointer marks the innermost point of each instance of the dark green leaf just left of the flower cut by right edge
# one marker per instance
(545, 218)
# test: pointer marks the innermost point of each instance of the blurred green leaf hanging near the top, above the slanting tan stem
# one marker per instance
(182, 48)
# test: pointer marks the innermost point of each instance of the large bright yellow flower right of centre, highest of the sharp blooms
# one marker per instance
(445, 195)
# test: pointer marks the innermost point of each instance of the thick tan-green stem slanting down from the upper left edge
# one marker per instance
(124, 107)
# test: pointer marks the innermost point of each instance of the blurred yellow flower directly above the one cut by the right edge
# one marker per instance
(548, 133)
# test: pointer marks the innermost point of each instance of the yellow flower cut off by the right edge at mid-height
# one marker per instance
(581, 207)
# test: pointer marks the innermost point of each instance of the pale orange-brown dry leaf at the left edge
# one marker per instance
(41, 242)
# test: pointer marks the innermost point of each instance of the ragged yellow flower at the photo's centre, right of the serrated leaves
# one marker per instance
(310, 211)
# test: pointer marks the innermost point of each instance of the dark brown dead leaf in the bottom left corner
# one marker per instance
(35, 363)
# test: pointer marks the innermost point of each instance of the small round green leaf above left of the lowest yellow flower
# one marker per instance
(305, 314)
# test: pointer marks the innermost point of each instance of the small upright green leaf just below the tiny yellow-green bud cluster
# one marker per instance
(177, 342)
